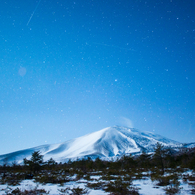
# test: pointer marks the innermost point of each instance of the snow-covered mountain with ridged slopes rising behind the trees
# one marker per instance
(106, 143)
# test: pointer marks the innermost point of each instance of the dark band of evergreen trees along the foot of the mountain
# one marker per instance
(162, 158)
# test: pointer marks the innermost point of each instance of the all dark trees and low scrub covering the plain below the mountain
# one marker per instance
(165, 167)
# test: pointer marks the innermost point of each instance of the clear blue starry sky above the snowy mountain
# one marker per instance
(69, 68)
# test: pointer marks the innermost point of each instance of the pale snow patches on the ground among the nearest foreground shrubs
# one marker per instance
(145, 186)
